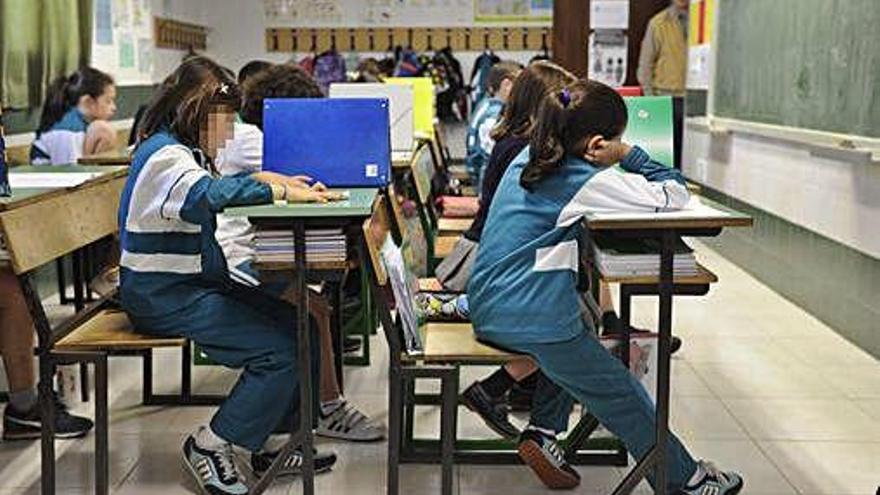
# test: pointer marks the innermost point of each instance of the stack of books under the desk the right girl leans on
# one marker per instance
(617, 257)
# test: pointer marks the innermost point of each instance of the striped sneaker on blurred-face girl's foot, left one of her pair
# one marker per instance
(213, 470)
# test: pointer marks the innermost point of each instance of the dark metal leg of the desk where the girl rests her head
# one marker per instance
(667, 254)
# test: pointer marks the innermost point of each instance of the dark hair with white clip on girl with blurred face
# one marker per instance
(184, 99)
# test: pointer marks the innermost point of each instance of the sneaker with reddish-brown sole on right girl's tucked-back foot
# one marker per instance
(546, 458)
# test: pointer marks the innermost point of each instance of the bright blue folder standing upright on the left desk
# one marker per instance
(340, 142)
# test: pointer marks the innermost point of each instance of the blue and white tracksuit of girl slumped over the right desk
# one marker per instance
(523, 288)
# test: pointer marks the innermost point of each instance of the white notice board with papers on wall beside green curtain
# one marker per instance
(122, 43)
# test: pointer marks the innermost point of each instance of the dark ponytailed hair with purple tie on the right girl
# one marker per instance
(565, 120)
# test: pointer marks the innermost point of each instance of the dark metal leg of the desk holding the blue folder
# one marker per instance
(305, 360)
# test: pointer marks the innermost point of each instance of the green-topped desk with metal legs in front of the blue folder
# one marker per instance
(299, 217)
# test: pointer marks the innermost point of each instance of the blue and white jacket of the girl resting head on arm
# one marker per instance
(523, 285)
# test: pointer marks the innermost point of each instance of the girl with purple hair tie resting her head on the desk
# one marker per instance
(523, 288)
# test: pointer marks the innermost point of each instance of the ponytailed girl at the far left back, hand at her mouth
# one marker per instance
(75, 118)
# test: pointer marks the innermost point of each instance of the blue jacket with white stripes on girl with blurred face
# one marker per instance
(167, 218)
